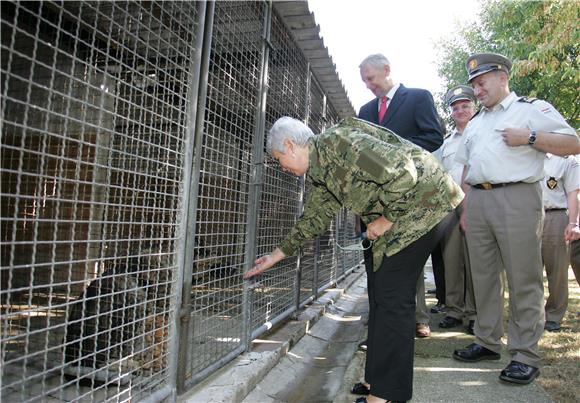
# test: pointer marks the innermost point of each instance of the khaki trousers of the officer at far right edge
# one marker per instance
(556, 258)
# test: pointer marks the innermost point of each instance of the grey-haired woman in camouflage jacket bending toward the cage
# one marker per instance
(401, 192)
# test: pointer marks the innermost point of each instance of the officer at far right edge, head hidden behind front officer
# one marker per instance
(560, 191)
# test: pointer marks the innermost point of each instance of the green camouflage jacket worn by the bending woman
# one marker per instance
(373, 172)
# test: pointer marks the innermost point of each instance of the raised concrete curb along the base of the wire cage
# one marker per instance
(237, 379)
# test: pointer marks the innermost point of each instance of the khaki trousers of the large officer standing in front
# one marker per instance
(504, 228)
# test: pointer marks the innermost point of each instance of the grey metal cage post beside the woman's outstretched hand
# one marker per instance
(256, 176)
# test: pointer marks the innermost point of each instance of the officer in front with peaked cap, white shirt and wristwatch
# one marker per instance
(503, 152)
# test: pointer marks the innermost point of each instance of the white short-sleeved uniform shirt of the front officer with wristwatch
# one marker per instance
(489, 159)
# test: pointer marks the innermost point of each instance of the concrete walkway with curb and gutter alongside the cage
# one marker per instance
(315, 359)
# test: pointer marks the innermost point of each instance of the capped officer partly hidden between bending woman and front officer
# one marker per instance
(458, 284)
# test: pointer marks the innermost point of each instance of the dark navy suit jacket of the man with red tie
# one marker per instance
(411, 114)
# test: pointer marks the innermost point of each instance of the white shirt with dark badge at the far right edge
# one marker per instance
(562, 176)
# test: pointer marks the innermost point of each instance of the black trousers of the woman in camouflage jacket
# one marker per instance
(391, 330)
